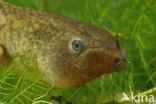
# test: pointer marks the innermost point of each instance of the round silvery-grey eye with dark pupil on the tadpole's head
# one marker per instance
(76, 45)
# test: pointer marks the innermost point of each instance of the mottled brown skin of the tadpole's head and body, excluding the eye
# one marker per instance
(45, 37)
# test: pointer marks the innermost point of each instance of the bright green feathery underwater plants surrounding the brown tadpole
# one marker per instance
(134, 21)
